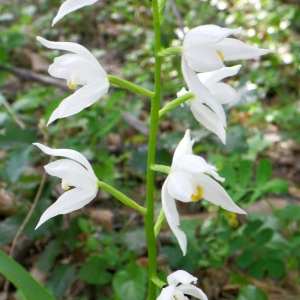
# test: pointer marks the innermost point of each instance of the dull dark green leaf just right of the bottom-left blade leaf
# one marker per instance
(60, 279)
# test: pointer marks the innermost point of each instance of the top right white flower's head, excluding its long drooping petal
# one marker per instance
(206, 47)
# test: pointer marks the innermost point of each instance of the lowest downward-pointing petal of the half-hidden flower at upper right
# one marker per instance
(208, 119)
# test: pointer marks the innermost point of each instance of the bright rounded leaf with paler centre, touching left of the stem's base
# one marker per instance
(130, 283)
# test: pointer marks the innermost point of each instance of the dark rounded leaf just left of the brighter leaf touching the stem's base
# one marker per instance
(94, 271)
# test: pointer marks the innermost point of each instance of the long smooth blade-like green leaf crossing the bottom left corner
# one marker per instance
(15, 273)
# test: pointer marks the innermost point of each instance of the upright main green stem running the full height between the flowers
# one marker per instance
(154, 118)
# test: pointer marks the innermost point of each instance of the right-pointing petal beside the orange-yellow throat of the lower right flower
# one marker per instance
(214, 193)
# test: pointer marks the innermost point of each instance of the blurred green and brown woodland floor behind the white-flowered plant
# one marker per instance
(100, 251)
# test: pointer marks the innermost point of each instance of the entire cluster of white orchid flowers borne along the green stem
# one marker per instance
(191, 178)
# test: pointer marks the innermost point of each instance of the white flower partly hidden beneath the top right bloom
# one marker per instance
(222, 94)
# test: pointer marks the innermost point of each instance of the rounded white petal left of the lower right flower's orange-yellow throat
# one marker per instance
(179, 186)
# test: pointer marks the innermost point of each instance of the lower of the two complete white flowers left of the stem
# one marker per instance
(74, 171)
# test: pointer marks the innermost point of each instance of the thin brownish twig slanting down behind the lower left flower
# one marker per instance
(17, 236)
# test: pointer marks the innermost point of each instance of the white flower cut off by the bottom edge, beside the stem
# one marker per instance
(175, 291)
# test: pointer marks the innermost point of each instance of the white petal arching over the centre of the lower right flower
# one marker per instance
(192, 163)
